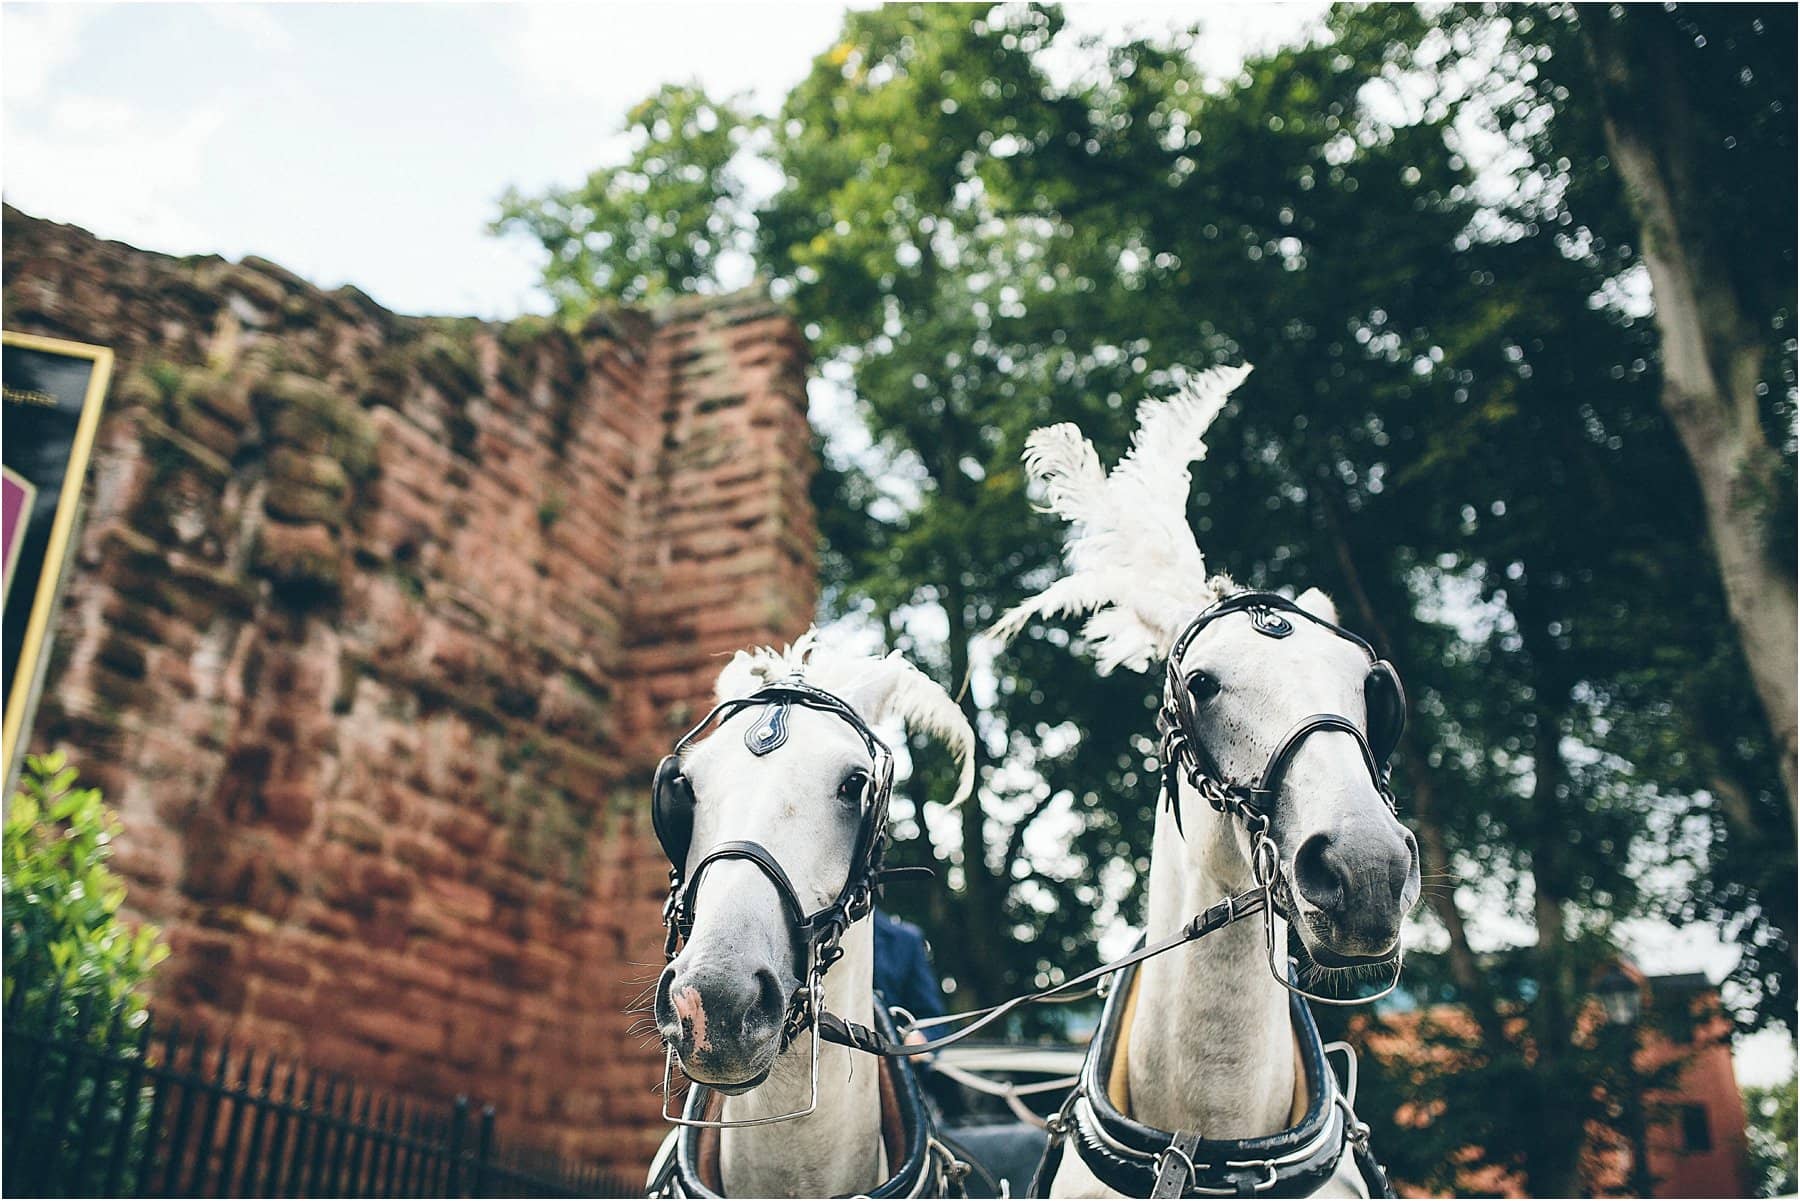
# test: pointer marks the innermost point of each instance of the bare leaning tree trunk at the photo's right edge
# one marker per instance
(1713, 356)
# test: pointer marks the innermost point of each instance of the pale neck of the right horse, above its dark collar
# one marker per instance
(1212, 1043)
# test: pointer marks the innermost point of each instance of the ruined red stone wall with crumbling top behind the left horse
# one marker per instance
(373, 637)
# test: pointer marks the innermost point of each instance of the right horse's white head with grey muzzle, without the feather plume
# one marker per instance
(1349, 871)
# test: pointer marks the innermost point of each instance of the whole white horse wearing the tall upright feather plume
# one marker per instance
(1207, 1043)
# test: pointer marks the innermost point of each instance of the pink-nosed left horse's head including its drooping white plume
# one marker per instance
(802, 802)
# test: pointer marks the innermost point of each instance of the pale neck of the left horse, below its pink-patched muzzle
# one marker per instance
(838, 1150)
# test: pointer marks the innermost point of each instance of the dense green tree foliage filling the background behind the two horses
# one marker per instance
(1410, 224)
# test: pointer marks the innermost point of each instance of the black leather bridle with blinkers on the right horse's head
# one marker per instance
(1252, 800)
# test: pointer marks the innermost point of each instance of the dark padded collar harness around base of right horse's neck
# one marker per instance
(1140, 1160)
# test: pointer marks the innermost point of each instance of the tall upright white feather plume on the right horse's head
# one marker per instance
(1131, 557)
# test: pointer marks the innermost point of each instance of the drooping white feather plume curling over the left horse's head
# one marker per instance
(879, 689)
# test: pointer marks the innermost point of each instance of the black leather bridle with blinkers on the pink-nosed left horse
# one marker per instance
(822, 932)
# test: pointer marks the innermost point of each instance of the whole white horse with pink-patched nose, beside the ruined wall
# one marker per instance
(787, 786)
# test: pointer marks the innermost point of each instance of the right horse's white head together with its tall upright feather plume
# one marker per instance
(1347, 867)
